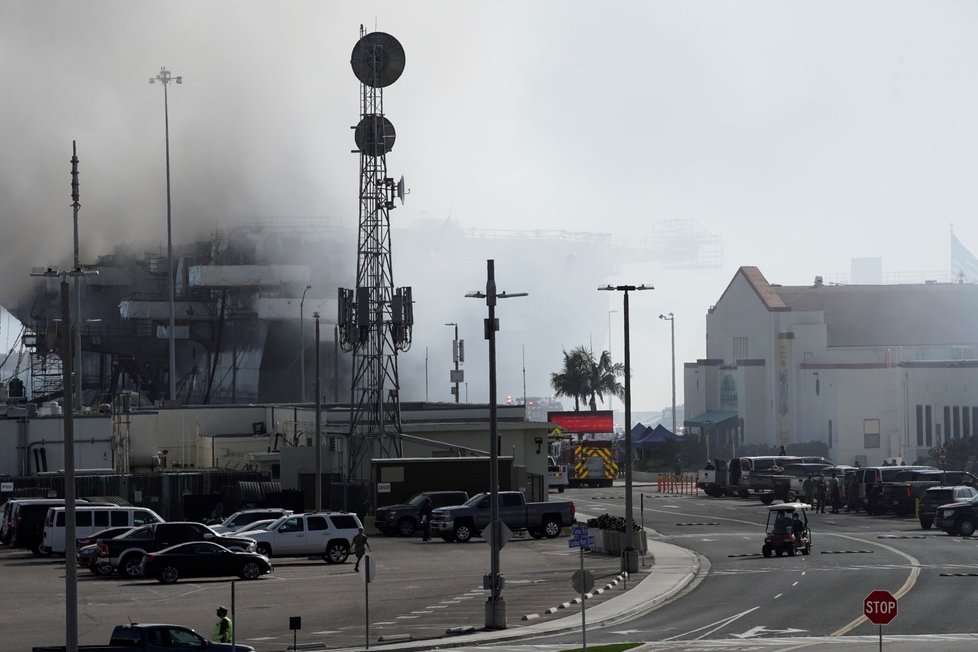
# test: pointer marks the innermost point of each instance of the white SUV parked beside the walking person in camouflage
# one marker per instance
(325, 534)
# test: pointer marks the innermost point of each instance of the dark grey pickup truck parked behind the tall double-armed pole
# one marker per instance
(462, 522)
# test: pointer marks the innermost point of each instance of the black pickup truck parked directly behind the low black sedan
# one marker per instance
(125, 554)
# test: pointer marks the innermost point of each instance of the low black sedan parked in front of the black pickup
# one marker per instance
(203, 559)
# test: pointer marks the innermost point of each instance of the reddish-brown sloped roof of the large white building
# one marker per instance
(924, 314)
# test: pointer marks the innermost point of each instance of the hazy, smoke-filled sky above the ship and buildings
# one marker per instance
(804, 133)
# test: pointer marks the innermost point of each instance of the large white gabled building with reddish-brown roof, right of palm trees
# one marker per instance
(874, 371)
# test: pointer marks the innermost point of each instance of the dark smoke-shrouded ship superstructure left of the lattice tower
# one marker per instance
(239, 295)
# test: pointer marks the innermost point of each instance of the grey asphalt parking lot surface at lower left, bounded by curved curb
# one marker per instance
(421, 589)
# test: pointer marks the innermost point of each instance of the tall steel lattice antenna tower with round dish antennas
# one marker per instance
(375, 319)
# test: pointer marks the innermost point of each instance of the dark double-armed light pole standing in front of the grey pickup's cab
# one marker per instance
(495, 606)
